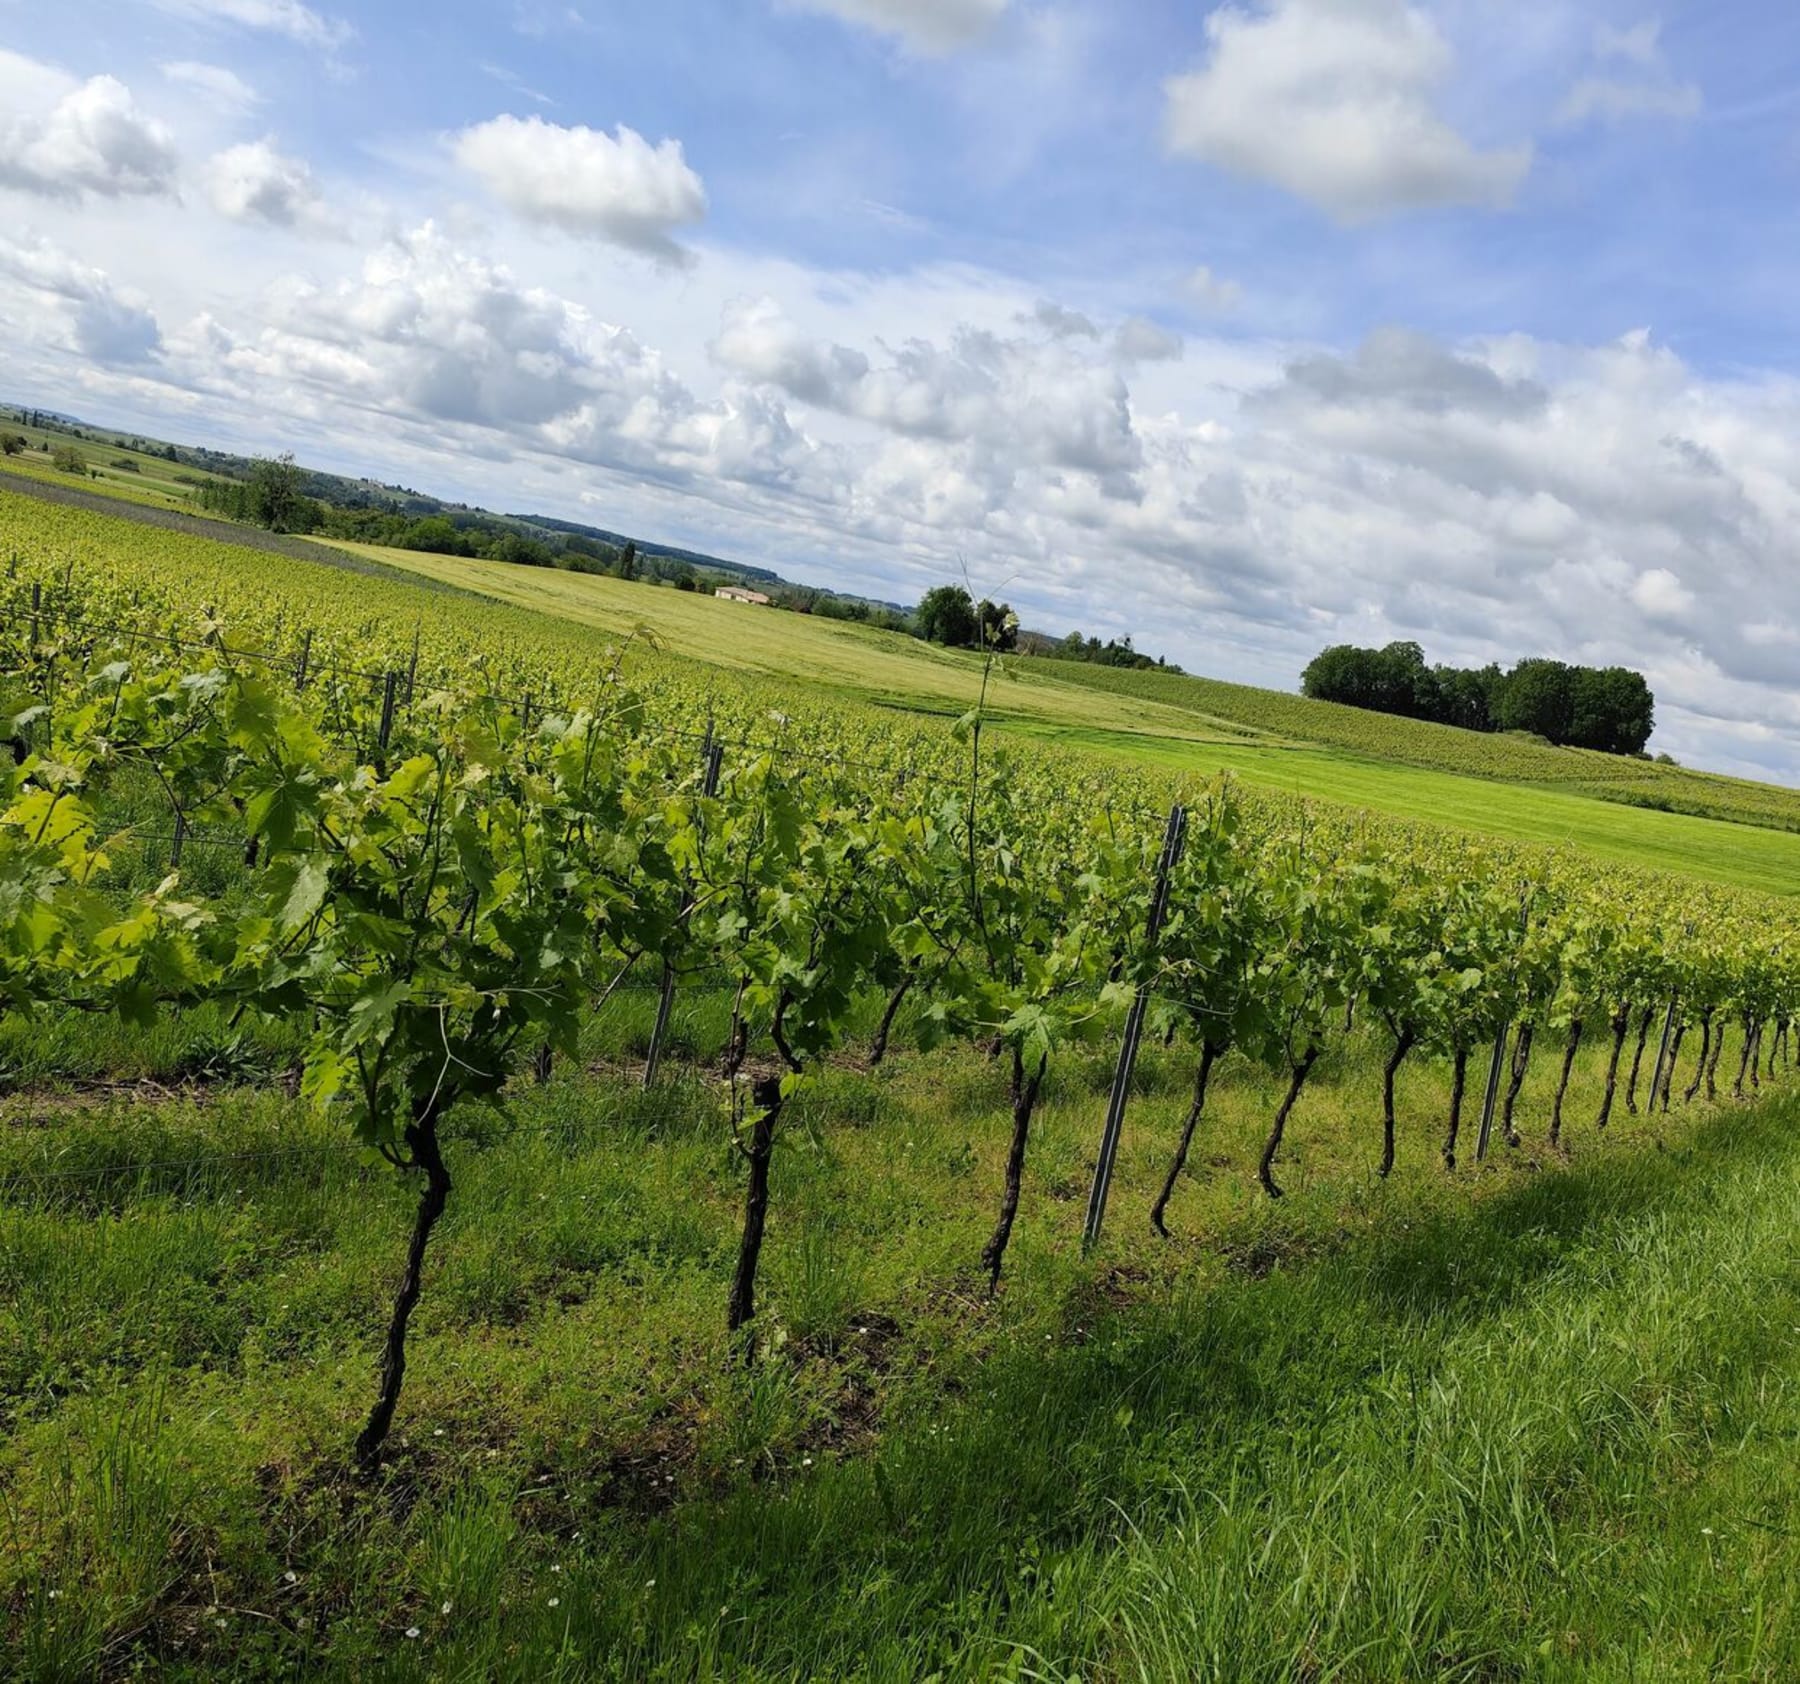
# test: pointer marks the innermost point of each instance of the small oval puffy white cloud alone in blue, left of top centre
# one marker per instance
(616, 188)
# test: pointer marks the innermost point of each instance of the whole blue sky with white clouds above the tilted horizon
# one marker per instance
(1239, 328)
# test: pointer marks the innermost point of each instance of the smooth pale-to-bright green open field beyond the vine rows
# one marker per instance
(1101, 712)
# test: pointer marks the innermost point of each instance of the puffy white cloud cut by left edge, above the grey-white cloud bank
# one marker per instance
(87, 139)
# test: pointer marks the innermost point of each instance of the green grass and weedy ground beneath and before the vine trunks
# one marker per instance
(1525, 1422)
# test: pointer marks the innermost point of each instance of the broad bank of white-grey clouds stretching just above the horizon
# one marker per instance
(1236, 510)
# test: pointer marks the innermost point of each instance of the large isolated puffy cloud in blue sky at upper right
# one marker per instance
(1333, 102)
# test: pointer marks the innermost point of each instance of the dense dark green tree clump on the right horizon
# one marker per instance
(1585, 708)
